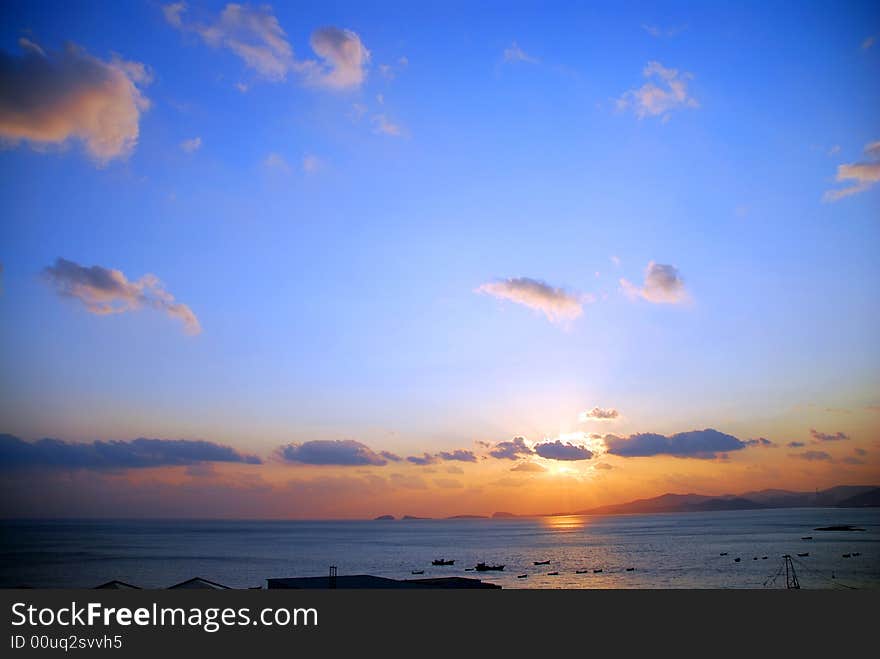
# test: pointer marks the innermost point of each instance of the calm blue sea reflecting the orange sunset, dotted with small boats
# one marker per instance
(667, 550)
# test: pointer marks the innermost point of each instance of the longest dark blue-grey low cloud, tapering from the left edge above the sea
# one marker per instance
(115, 454)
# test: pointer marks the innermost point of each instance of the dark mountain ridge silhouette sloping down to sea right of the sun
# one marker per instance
(846, 496)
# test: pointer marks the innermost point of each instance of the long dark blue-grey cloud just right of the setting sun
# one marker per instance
(703, 444)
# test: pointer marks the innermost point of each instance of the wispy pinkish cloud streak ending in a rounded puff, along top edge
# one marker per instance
(255, 35)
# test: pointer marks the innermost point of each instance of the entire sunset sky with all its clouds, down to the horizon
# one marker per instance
(347, 259)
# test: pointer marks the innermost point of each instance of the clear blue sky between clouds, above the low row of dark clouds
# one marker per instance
(334, 267)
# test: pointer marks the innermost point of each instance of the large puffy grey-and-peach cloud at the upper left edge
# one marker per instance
(53, 97)
